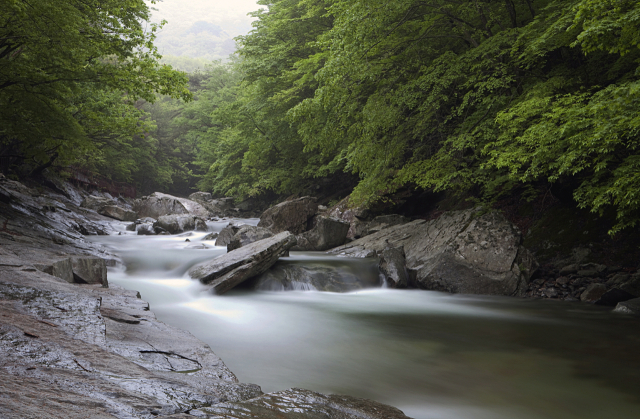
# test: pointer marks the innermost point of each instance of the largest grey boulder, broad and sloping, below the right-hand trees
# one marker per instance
(467, 252)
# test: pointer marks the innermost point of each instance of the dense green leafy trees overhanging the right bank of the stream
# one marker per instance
(472, 95)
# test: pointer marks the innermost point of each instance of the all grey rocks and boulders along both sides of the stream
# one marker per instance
(72, 345)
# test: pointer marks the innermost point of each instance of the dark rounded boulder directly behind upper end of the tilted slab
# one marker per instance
(293, 216)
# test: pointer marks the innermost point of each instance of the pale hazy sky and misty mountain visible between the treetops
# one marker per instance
(202, 29)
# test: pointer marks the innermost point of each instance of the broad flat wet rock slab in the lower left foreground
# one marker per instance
(78, 351)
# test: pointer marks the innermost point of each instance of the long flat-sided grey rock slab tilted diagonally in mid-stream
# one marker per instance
(226, 271)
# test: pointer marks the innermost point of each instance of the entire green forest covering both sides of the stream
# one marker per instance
(482, 98)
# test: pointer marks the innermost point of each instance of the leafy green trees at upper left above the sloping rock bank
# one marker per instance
(70, 75)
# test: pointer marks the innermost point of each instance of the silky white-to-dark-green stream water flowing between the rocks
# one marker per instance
(433, 355)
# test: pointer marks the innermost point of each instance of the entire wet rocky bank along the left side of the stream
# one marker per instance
(72, 346)
